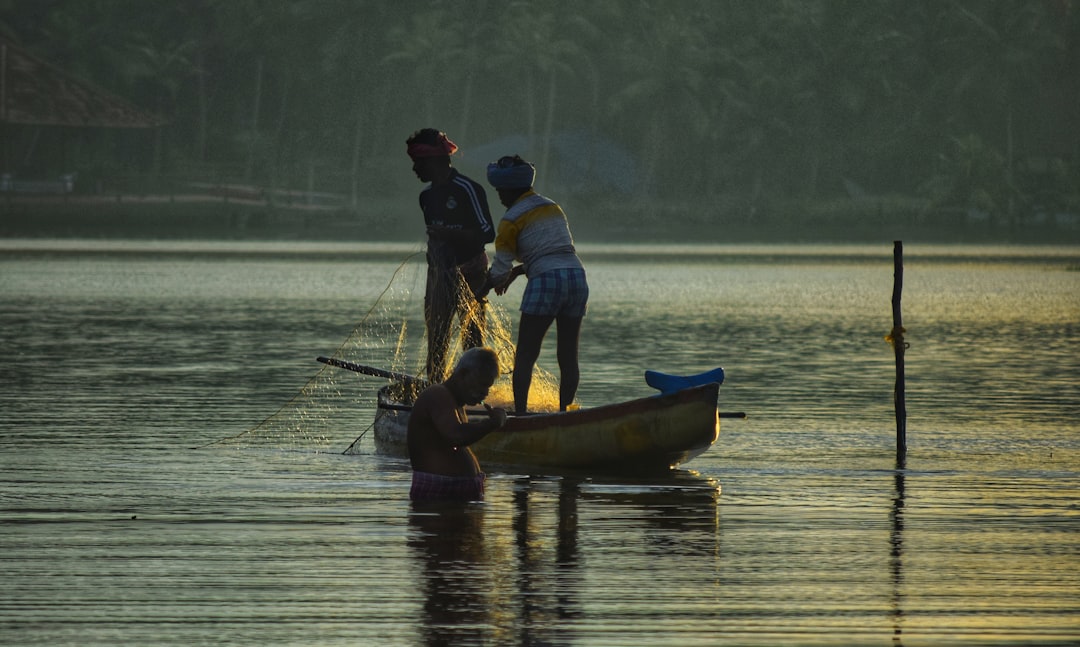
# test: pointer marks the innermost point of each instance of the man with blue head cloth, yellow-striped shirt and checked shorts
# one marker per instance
(535, 233)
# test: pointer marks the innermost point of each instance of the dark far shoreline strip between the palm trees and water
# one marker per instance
(210, 218)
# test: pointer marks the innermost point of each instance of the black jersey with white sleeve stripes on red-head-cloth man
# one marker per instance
(458, 204)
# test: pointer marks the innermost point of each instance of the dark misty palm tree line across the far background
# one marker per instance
(964, 104)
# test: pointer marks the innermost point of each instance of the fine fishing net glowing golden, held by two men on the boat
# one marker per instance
(337, 406)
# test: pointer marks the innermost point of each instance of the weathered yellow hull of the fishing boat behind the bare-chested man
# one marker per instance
(640, 436)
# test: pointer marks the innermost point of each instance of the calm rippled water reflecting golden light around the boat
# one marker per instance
(798, 529)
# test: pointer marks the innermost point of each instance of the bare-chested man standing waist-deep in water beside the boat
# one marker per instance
(440, 433)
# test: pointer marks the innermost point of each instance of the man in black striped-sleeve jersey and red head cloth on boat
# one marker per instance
(460, 225)
